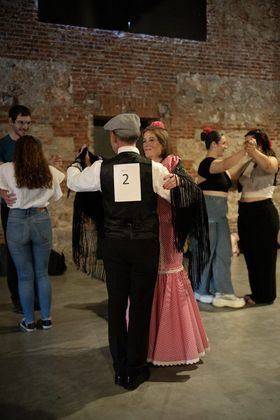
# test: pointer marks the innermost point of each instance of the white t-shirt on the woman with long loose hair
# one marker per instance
(25, 197)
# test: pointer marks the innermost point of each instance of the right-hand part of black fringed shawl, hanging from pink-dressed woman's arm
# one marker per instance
(190, 223)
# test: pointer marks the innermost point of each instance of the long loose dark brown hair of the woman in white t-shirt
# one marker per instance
(31, 167)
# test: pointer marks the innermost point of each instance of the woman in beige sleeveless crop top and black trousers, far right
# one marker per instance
(258, 219)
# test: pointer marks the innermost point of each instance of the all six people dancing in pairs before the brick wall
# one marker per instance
(151, 211)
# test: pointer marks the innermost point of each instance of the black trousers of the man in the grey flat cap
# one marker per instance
(131, 271)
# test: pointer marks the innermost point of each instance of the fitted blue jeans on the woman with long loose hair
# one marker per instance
(29, 238)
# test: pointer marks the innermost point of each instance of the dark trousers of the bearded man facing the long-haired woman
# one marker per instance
(12, 278)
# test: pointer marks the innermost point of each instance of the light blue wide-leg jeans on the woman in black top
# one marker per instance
(216, 277)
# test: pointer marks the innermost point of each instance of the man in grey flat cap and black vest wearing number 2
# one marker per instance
(129, 184)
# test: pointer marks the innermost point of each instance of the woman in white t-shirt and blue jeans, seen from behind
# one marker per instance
(29, 232)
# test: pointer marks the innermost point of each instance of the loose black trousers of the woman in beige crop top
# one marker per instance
(258, 226)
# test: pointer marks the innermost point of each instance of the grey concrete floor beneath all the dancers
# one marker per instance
(66, 373)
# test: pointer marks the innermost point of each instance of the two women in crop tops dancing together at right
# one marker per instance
(258, 219)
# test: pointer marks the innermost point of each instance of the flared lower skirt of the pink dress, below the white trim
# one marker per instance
(177, 335)
